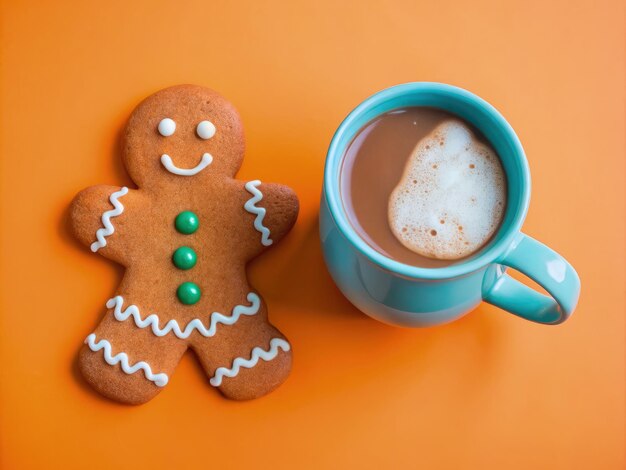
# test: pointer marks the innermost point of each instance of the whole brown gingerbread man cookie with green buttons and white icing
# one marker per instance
(184, 237)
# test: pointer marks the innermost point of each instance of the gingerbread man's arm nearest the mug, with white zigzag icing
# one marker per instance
(275, 209)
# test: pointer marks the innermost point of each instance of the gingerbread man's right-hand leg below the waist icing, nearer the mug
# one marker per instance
(245, 360)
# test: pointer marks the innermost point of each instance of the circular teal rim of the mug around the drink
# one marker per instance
(332, 191)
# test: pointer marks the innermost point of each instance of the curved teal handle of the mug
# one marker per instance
(548, 269)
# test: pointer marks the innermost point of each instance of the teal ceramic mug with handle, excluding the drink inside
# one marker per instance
(405, 295)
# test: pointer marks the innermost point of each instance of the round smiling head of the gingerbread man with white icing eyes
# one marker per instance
(183, 135)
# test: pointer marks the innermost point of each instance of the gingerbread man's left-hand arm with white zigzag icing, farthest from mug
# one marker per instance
(98, 216)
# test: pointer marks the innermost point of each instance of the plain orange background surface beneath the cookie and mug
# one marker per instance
(488, 391)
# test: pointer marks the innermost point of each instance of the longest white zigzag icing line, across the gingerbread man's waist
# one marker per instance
(152, 320)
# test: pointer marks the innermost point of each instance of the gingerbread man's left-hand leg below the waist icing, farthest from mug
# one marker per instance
(128, 364)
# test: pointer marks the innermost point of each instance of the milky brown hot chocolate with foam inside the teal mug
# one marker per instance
(423, 187)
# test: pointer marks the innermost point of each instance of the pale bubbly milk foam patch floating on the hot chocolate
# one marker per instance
(451, 197)
